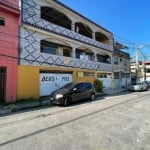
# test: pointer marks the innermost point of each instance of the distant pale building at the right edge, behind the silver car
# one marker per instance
(140, 71)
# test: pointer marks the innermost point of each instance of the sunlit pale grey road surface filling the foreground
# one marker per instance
(119, 122)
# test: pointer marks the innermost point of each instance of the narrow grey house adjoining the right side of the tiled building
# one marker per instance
(121, 66)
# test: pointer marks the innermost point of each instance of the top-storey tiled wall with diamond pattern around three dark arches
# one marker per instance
(32, 16)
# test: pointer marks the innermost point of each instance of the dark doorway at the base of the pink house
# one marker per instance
(2, 83)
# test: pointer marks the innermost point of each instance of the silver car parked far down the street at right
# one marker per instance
(139, 86)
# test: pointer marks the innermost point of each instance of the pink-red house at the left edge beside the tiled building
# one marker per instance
(9, 19)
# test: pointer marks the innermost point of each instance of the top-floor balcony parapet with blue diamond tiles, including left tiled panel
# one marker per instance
(31, 16)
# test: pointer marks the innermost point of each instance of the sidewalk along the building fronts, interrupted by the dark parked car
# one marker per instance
(14, 107)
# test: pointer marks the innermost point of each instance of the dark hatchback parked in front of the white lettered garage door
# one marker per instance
(73, 92)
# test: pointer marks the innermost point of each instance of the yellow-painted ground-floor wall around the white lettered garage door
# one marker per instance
(28, 85)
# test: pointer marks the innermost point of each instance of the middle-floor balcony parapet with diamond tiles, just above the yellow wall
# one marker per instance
(49, 60)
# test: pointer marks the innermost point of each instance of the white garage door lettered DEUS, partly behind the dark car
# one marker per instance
(52, 81)
